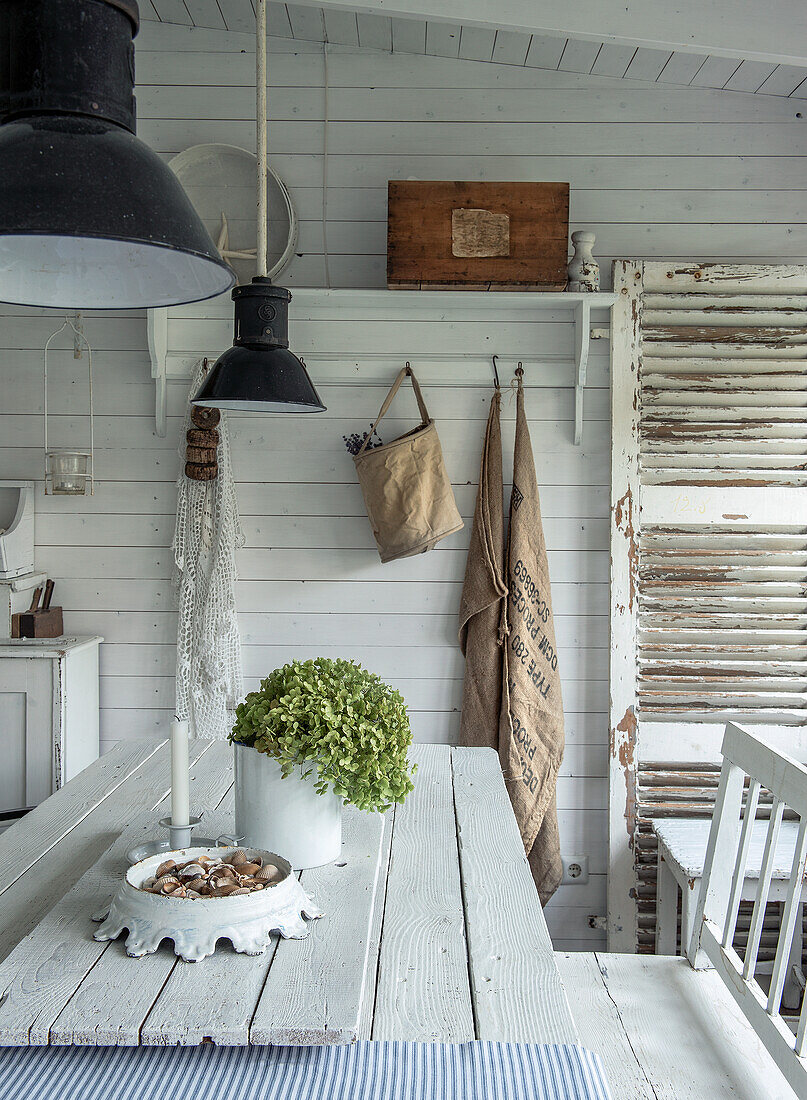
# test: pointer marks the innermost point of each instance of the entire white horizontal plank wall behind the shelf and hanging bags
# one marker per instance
(656, 172)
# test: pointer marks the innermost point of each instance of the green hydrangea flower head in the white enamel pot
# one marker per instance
(338, 721)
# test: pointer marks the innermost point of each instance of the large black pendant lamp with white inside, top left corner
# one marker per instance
(90, 216)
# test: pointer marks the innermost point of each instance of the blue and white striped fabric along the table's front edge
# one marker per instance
(479, 1071)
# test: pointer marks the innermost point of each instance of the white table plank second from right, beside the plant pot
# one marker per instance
(424, 991)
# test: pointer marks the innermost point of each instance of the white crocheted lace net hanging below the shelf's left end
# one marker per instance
(208, 533)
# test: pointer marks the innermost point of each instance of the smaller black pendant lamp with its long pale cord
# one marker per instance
(259, 373)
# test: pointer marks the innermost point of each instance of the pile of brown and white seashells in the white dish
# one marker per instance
(214, 877)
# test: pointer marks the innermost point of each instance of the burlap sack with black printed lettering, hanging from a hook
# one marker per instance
(532, 736)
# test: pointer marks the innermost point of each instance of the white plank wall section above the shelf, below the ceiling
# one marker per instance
(656, 171)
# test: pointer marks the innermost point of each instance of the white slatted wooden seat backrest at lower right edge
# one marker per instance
(723, 886)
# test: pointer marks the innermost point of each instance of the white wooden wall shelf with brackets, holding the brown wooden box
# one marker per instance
(459, 327)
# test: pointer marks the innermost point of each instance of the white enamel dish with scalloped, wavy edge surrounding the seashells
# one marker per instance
(196, 926)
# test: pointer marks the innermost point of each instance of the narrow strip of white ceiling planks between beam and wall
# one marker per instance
(480, 45)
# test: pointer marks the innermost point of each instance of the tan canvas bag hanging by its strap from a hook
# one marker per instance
(406, 488)
